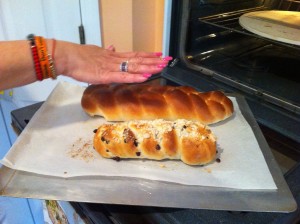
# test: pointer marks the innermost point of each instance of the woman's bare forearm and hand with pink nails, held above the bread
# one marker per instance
(85, 63)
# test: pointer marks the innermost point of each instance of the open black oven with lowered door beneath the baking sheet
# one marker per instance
(212, 51)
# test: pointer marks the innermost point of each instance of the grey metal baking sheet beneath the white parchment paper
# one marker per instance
(133, 191)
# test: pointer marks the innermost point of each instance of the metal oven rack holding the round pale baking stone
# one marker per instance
(229, 21)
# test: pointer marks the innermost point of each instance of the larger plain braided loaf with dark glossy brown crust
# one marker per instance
(147, 102)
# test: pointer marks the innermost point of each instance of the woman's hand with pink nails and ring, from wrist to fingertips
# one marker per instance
(95, 65)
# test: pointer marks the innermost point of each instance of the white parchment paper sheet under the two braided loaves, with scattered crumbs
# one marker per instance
(58, 142)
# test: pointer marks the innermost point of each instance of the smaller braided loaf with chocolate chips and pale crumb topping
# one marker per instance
(189, 141)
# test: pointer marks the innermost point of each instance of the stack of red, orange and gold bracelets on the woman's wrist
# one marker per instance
(44, 63)
